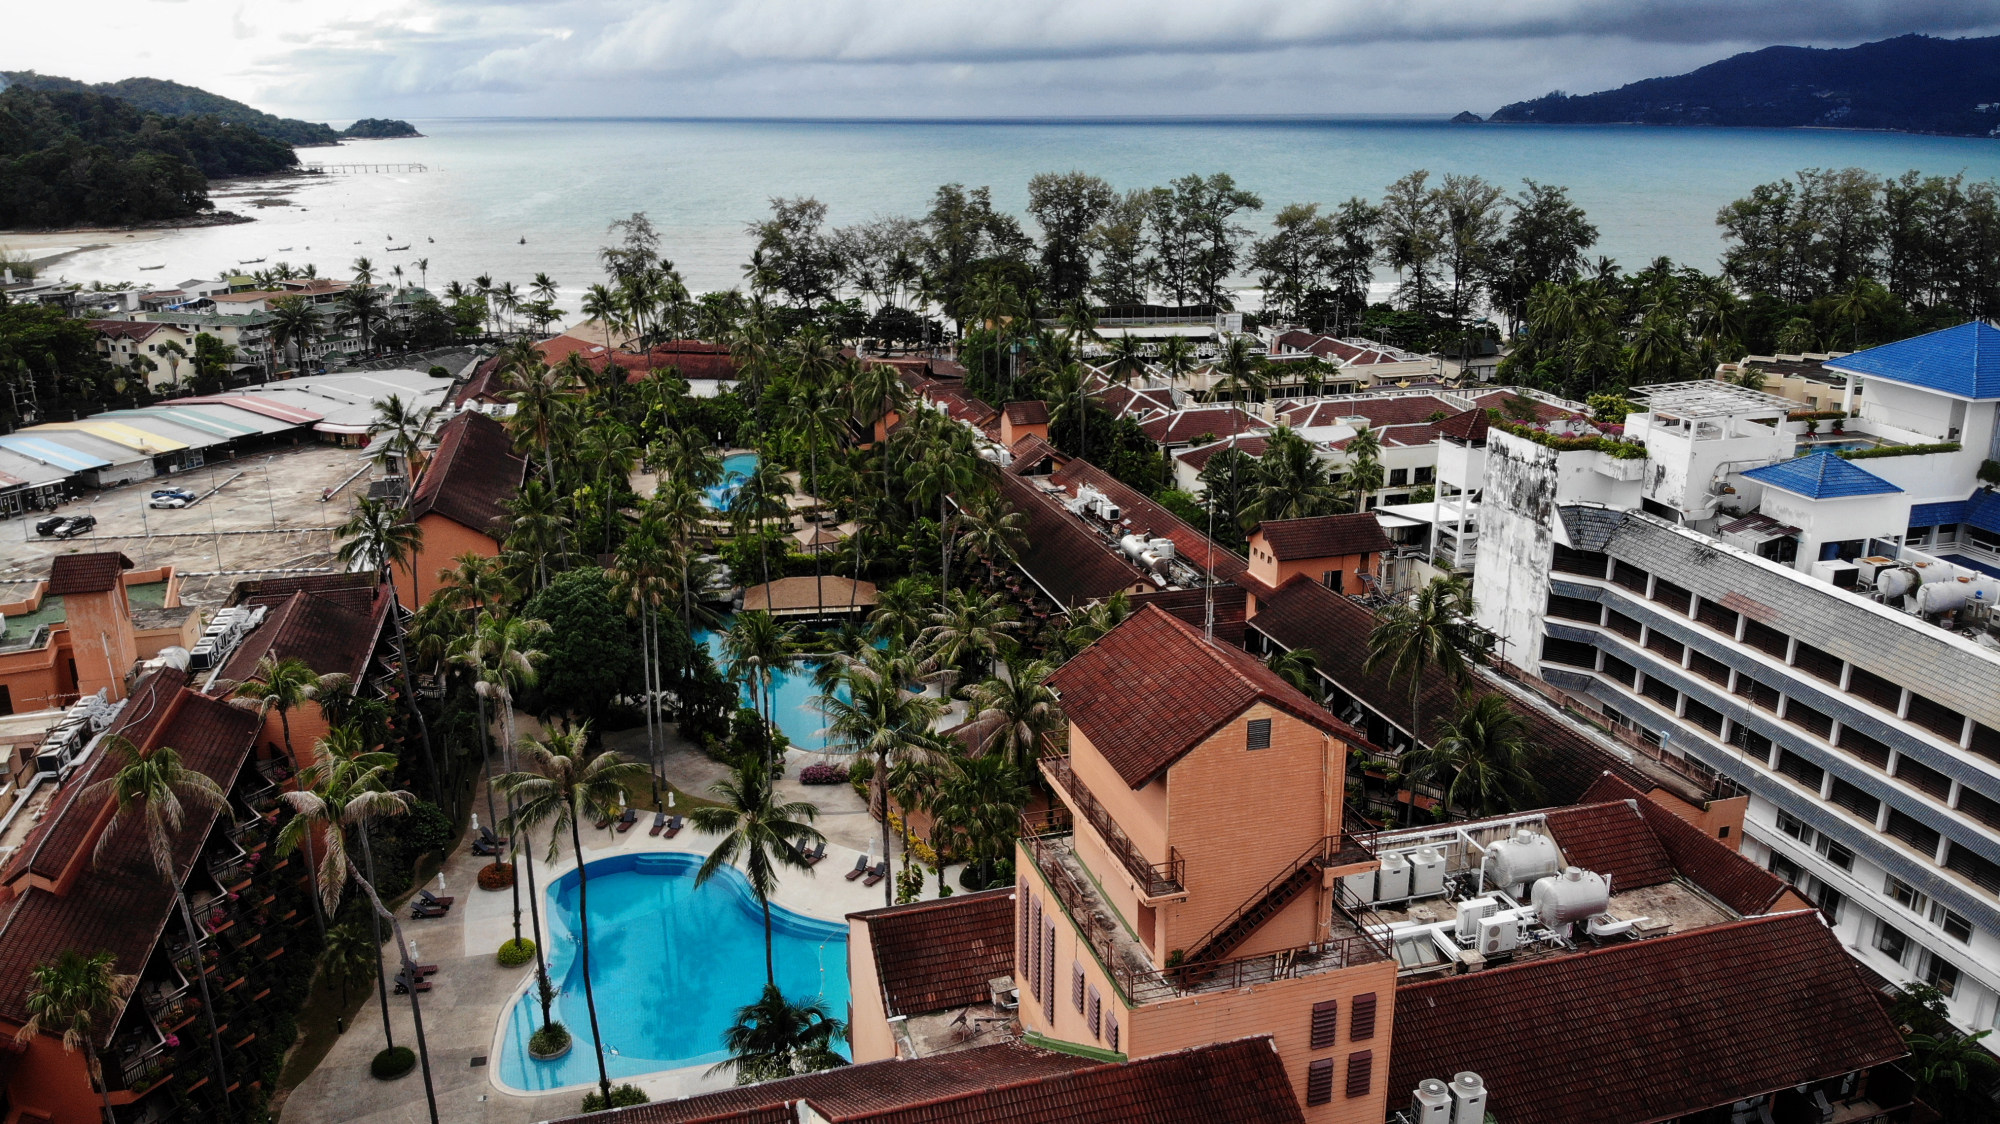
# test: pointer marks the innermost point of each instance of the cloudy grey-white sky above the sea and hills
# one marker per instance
(899, 59)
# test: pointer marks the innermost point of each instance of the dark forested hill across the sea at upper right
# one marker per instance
(1907, 85)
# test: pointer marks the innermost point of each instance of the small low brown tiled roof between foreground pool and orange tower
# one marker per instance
(941, 955)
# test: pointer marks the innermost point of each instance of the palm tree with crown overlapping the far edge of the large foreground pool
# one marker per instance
(757, 829)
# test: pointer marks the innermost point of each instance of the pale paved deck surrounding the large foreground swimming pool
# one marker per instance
(473, 995)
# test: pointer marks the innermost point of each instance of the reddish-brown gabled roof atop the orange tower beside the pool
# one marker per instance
(1153, 689)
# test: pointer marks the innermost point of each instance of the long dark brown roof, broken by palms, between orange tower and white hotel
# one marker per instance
(1307, 615)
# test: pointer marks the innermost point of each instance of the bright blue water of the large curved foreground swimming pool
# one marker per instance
(669, 965)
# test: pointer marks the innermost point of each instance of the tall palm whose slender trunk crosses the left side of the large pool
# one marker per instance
(561, 789)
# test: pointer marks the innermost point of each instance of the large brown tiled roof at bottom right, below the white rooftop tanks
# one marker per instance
(1649, 1029)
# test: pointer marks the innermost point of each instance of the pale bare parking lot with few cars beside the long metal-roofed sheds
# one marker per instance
(267, 517)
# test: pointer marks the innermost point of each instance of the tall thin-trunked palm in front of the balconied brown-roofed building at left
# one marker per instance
(153, 789)
